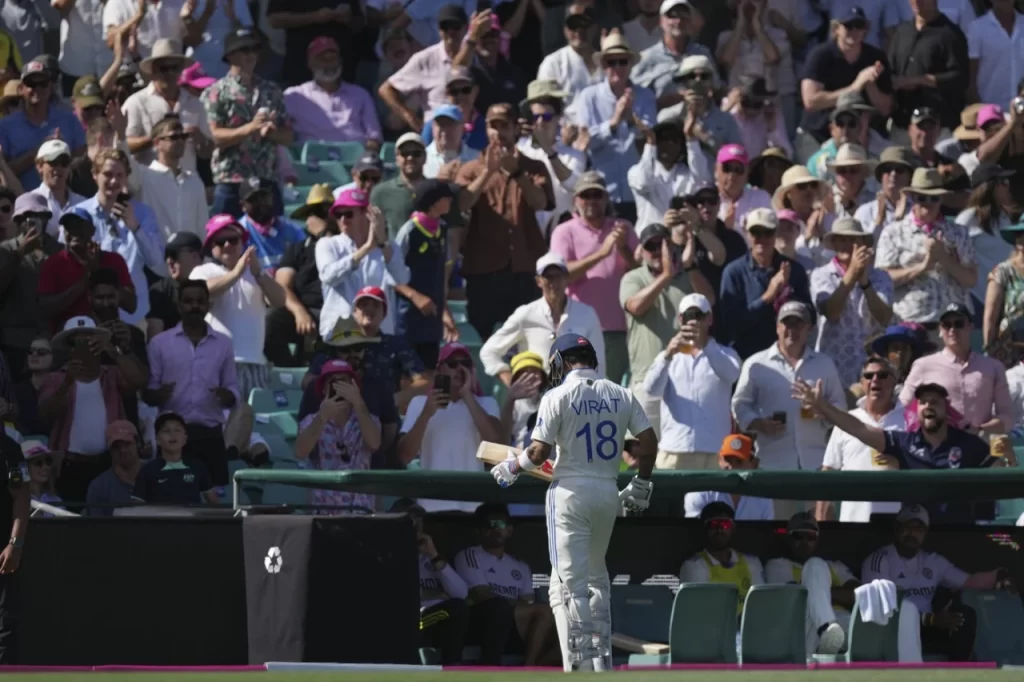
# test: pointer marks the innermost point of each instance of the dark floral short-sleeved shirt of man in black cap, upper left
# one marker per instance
(231, 104)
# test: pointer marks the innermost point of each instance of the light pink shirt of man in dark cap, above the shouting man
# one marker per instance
(978, 389)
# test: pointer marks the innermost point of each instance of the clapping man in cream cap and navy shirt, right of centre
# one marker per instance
(756, 287)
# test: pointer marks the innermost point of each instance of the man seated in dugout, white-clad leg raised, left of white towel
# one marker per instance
(830, 585)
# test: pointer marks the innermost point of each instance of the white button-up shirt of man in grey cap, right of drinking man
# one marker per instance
(766, 388)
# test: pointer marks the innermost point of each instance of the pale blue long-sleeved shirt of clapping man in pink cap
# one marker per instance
(342, 279)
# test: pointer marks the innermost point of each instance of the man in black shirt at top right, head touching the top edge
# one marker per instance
(929, 58)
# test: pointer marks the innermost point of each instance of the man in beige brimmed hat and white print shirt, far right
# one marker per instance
(930, 261)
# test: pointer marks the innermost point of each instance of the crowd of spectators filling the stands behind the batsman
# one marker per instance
(771, 218)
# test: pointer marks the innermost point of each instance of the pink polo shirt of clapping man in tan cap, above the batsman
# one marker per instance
(599, 288)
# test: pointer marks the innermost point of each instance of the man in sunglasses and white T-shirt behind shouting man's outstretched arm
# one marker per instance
(878, 408)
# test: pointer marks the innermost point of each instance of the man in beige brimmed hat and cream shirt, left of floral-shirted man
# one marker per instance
(163, 96)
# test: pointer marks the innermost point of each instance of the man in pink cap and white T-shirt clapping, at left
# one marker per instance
(241, 293)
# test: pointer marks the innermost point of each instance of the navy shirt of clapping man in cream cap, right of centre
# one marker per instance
(752, 322)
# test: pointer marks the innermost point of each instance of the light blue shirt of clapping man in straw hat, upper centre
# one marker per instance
(614, 153)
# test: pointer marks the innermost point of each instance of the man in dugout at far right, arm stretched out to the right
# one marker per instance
(948, 627)
